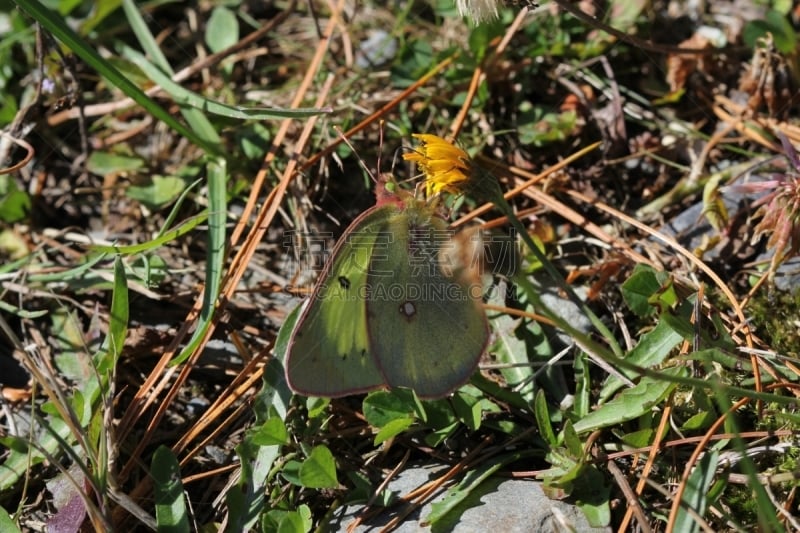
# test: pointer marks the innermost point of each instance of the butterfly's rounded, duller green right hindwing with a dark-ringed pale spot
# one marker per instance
(427, 328)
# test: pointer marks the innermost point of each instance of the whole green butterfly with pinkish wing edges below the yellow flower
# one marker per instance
(398, 304)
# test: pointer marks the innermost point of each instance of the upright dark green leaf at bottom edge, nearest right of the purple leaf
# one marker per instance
(171, 513)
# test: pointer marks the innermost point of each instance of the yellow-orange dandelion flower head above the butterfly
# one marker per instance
(446, 167)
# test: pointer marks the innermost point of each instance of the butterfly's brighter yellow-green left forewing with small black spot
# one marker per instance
(329, 353)
